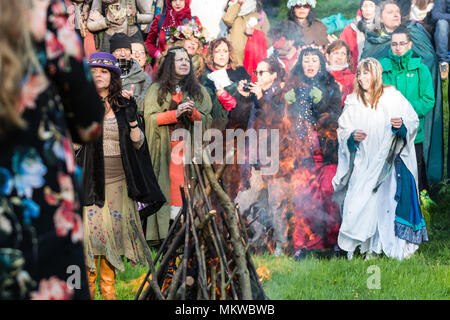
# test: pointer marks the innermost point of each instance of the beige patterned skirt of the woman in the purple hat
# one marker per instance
(112, 231)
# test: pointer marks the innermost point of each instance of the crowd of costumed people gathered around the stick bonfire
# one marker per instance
(90, 169)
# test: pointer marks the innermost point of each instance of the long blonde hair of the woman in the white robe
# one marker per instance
(372, 96)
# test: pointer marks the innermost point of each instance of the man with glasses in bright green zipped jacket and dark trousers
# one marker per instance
(404, 70)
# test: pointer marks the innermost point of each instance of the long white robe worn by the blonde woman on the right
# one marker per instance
(368, 217)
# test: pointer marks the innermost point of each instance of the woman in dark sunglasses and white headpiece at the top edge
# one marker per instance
(302, 13)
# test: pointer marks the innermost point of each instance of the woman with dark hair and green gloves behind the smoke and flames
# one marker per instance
(315, 105)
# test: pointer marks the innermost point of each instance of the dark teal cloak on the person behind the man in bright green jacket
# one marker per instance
(377, 46)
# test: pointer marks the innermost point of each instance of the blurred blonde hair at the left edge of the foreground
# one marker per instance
(16, 57)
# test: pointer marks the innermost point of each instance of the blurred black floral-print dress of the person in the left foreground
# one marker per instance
(41, 232)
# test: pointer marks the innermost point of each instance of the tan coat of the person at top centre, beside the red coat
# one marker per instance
(237, 25)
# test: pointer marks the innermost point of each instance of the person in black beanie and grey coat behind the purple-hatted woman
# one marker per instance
(133, 77)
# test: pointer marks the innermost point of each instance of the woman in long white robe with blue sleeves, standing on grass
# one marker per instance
(370, 128)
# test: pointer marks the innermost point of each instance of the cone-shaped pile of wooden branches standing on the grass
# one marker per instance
(205, 255)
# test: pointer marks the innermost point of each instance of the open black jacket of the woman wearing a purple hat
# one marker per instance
(141, 181)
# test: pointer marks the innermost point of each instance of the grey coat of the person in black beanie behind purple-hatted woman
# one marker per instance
(141, 81)
